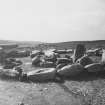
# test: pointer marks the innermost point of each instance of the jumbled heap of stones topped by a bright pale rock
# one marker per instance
(43, 59)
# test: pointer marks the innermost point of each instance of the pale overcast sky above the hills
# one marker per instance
(52, 20)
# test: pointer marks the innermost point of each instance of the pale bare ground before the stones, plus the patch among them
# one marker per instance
(85, 89)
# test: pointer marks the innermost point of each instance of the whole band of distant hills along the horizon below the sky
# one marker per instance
(61, 45)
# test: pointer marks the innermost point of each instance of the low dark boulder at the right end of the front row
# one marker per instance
(95, 67)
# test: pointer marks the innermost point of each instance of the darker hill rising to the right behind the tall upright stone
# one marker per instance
(73, 44)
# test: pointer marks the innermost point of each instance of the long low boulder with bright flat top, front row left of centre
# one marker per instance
(42, 74)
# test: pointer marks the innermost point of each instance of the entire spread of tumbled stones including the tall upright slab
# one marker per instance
(55, 65)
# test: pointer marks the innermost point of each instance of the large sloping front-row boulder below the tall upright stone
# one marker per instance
(71, 70)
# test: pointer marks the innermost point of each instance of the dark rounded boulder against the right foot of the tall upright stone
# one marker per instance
(85, 60)
